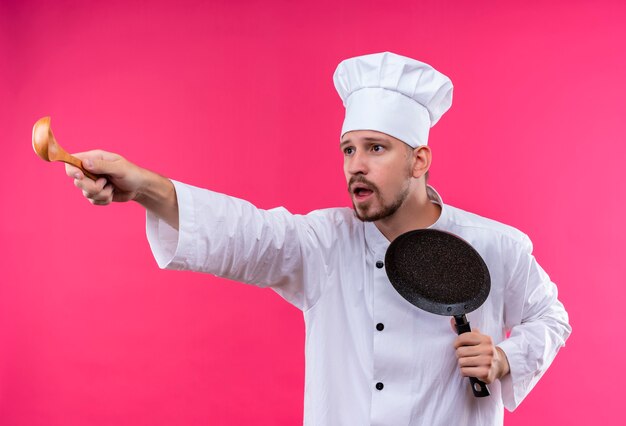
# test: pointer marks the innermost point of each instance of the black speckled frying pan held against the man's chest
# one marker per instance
(441, 274)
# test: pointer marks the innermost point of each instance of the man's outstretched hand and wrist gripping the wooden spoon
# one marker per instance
(120, 181)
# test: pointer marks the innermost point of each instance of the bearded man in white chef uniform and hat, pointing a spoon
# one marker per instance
(371, 357)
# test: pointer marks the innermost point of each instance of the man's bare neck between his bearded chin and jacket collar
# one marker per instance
(417, 212)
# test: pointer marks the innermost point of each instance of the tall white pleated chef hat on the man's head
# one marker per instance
(392, 94)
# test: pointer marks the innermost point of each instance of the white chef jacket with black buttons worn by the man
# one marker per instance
(372, 358)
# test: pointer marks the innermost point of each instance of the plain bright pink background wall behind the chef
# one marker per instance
(238, 97)
